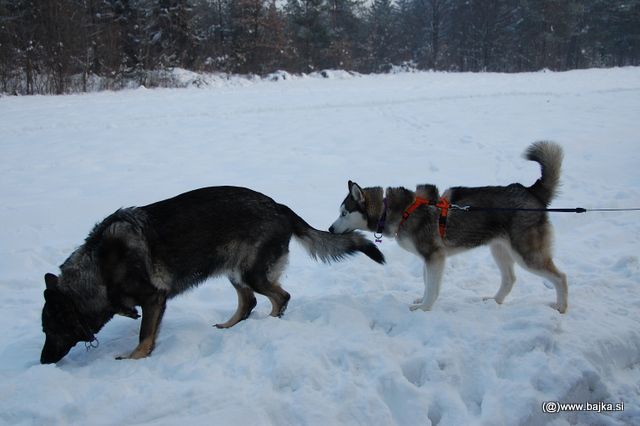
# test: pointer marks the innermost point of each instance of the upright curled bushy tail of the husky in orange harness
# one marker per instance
(549, 155)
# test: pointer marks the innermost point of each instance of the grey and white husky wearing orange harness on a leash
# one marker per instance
(507, 218)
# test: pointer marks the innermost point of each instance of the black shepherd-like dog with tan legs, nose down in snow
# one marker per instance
(141, 256)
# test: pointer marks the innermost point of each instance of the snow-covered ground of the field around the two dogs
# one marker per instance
(348, 351)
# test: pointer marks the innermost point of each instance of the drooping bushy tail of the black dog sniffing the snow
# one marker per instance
(328, 247)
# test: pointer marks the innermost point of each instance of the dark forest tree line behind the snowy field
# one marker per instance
(46, 44)
